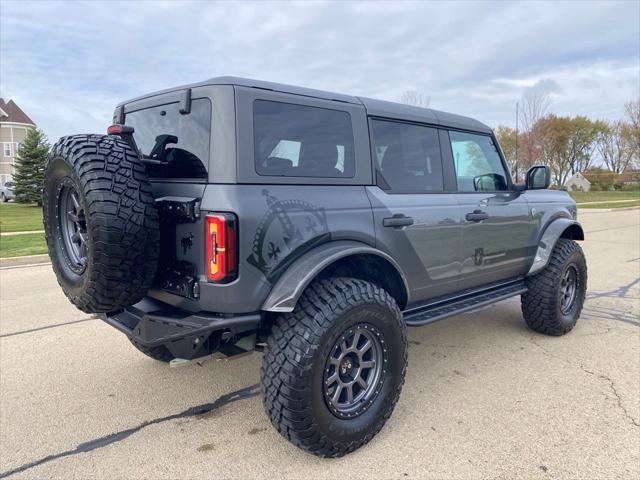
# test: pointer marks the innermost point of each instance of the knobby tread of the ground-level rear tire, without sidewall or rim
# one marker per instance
(289, 356)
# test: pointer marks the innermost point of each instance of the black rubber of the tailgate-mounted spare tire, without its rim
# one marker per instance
(122, 224)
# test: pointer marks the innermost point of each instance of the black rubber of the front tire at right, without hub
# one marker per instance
(541, 304)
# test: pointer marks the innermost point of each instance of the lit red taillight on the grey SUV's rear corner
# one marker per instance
(221, 238)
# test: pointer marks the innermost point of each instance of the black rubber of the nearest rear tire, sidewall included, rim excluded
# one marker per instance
(294, 364)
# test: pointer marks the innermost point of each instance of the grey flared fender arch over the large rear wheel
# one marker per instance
(338, 258)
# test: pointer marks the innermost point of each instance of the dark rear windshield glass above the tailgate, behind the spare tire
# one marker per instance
(180, 142)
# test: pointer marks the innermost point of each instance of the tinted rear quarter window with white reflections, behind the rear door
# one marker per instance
(301, 141)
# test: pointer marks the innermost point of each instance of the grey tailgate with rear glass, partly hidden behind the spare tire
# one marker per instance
(176, 147)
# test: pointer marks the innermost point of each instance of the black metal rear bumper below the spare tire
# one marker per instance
(187, 335)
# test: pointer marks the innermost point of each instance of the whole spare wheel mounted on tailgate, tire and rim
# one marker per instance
(100, 221)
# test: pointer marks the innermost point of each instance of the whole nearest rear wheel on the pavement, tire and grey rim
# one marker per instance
(333, 369)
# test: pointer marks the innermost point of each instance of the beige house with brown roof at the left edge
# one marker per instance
(14, 125)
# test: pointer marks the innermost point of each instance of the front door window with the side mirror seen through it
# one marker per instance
(477, 162)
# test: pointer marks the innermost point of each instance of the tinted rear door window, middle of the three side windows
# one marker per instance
(408, 156)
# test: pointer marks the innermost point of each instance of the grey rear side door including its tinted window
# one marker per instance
(416, 214)
